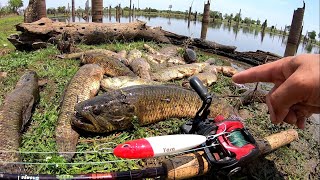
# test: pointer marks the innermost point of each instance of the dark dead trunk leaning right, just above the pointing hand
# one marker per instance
(295, 32)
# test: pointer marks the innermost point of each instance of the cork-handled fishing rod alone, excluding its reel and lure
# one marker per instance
(178, 167)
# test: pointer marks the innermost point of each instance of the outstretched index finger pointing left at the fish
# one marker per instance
(270, 72)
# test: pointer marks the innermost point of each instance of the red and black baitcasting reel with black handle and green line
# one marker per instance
(229, 144)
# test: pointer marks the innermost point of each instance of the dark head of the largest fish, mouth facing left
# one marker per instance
(104, 114)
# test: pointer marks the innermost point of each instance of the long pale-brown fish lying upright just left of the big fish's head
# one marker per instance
(84, 85)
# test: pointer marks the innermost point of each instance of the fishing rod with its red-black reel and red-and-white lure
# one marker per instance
(219, 145)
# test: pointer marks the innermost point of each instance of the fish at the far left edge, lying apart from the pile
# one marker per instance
(15, 112)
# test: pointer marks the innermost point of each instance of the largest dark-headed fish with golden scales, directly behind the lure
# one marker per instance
(149, 104)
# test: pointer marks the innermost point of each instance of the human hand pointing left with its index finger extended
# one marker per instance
(296, 94)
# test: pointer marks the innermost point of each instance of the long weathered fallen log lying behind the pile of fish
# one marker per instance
(46, 30)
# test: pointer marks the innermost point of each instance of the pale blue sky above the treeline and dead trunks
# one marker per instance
(278, 12)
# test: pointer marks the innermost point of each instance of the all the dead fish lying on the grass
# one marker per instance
(139, 86)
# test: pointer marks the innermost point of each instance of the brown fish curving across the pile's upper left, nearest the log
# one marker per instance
(111, 65)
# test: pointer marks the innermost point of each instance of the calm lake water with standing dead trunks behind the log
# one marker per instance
(244, 39)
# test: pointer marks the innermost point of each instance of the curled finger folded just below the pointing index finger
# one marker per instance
(285, 96)
